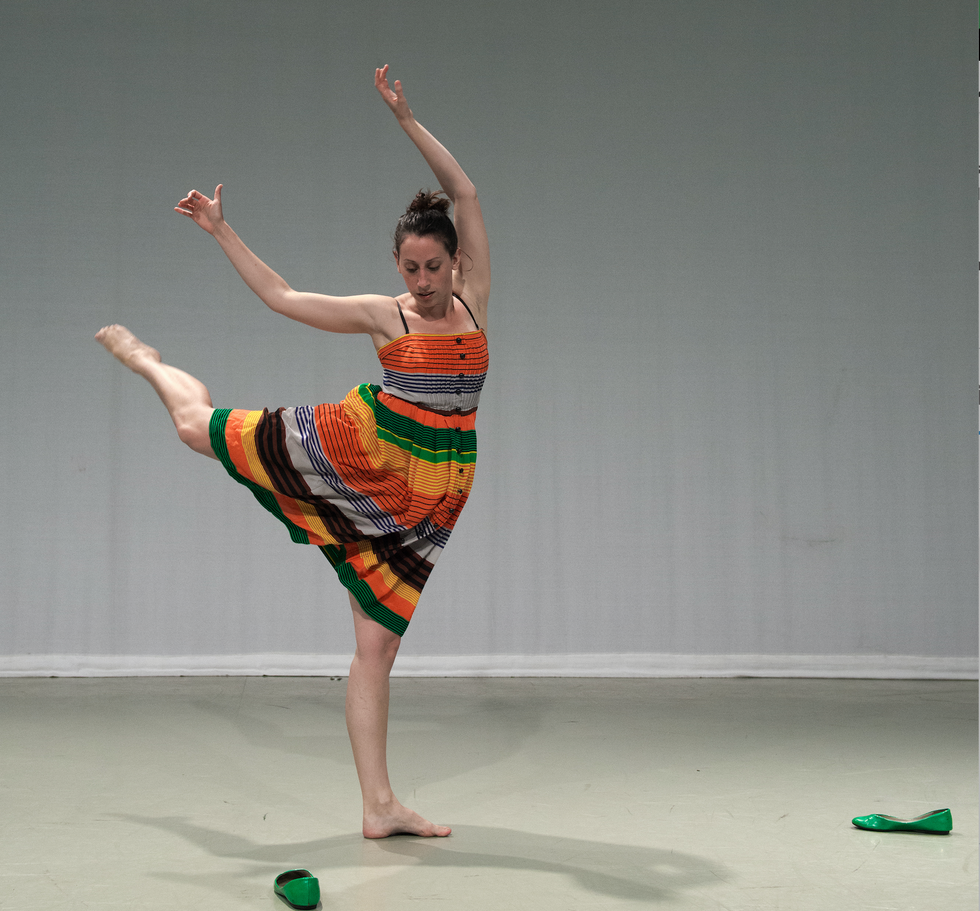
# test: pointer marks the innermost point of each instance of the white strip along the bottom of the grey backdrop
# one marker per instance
(897, 667)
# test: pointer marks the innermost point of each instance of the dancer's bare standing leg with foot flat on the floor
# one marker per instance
(367, 724)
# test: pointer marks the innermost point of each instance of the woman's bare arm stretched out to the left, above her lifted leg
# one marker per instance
(361, 313)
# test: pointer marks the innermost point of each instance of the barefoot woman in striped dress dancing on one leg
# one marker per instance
(377, 481)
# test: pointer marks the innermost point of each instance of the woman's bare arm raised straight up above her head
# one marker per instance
(472, 281)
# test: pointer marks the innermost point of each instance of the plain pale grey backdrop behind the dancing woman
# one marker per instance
(732, 322)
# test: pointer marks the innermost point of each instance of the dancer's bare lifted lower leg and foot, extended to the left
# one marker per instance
(186, 398)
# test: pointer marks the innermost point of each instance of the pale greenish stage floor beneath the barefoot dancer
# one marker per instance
(565, 794)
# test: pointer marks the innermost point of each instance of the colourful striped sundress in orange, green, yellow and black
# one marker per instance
(378, 481)
